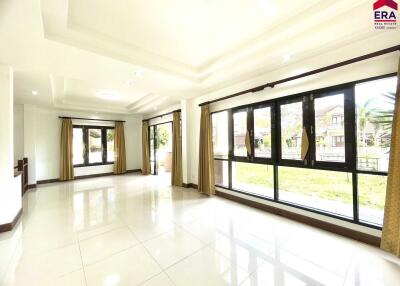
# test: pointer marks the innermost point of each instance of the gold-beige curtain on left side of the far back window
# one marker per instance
(66, 162)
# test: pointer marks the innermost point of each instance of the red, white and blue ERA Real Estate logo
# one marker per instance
(385, 14)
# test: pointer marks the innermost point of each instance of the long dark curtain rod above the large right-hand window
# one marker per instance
(319, 70)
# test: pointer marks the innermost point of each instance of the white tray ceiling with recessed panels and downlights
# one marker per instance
(153, 53)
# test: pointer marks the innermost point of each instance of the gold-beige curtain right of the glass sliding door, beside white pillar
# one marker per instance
(176, 176)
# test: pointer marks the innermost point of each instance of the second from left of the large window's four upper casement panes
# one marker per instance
(262, 132)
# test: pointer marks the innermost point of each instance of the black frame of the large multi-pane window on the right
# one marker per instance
(350, 134)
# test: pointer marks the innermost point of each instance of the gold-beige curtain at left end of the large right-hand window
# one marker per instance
(206, 179)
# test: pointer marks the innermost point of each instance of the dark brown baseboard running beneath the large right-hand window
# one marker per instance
(343, 231)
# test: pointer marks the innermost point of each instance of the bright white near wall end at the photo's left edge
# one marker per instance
(10, 187)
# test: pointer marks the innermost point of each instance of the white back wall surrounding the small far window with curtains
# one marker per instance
(42, 141)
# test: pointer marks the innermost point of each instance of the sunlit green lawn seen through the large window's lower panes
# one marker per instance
(329, 185)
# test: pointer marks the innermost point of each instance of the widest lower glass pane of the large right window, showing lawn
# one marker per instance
(324, 190)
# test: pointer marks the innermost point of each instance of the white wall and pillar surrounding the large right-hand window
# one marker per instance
(374, 67)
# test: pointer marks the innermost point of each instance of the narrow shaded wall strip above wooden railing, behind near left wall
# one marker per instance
(18, 133)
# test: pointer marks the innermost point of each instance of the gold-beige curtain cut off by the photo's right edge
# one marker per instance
(391, 224)
